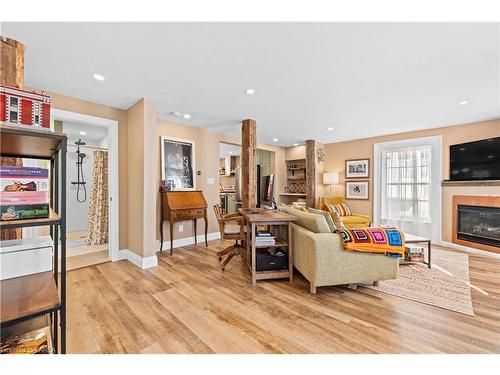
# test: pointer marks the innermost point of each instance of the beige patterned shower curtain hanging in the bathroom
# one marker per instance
(97, 230)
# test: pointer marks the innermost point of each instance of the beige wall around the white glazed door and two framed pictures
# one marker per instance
(337, 153)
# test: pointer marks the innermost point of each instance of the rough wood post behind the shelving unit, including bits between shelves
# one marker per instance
(11, 74)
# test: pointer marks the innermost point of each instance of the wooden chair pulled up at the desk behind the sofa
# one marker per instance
(232, 227)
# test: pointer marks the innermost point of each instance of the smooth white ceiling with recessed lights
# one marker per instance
(363, 79)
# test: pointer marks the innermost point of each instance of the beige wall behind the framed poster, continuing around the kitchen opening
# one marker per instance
(207, 161)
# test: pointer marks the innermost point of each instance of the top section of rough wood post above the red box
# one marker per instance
(12, 63)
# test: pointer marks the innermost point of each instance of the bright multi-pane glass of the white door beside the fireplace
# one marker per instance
(406, 184)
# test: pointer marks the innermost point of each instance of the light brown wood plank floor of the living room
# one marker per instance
(188, 305)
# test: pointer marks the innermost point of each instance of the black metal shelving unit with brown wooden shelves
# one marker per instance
(32, 296)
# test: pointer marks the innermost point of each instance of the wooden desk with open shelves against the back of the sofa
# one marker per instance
(275, 219)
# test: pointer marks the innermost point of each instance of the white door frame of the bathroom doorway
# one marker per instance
(113, 178)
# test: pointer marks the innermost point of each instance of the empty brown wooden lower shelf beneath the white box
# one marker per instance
(28, 295)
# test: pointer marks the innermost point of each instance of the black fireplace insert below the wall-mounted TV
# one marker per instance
(480, 224)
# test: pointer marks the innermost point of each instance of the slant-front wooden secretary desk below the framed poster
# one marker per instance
(181, 206)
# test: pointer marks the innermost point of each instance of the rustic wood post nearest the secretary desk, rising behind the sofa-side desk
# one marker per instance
(249, 163)
